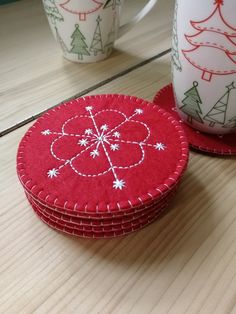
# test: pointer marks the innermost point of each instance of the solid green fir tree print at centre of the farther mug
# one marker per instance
(78, 43)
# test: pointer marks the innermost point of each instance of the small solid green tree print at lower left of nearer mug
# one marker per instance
(192, 103)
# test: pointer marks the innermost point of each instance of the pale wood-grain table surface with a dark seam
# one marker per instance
(182, 263)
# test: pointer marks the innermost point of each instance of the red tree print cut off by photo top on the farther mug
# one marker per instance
(81, 7)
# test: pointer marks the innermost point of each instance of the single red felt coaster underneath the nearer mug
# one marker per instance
(210, 143)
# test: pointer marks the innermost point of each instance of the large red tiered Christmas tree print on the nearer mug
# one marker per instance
(215, 37)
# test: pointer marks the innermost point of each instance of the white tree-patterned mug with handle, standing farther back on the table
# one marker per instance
(87, 29)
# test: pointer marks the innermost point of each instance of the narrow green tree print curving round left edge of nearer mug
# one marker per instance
(175, 43)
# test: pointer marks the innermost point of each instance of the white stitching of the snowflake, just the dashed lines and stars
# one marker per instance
(100, 137)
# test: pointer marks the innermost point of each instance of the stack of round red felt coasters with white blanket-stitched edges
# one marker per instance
(102, 166)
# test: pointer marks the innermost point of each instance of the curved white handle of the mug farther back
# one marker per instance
(123, 29)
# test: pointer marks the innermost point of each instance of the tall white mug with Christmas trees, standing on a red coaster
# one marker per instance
(204, 64)
